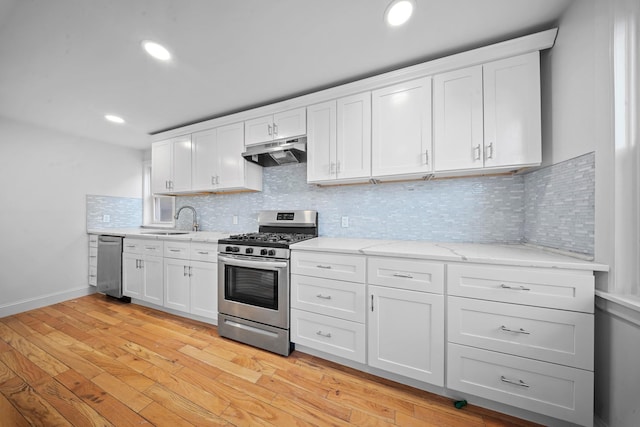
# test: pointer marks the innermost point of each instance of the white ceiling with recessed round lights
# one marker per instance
(66, 63)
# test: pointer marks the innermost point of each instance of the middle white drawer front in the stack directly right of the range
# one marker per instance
(345, 300)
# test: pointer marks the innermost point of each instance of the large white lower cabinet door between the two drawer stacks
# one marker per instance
(406, 333)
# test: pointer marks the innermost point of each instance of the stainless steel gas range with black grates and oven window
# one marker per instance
(254, 282)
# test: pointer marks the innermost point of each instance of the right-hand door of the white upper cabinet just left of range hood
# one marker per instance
(230, 160)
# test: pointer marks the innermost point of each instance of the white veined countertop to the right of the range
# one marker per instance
(515, 255)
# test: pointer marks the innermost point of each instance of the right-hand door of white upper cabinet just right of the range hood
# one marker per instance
(353, 145)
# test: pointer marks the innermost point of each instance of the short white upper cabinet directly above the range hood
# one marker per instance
(277, 126)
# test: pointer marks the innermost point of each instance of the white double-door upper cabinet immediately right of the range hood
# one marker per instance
(339, 140)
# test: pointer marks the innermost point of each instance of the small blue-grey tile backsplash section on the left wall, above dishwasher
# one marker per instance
(121, 212)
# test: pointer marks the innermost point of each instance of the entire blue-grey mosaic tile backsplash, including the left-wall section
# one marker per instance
(552, 206)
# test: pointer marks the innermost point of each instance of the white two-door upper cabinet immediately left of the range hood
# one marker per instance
(218, 164)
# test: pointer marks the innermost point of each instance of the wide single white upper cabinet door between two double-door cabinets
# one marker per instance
(401, 137)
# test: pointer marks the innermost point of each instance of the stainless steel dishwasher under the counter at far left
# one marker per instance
(109, 271)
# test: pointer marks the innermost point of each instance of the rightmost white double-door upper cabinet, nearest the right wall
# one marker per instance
(488, 116)
